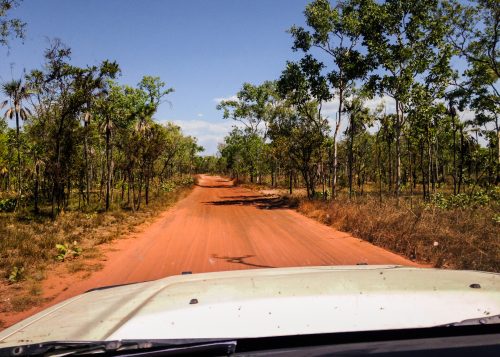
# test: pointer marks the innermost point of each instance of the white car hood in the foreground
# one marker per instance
(267, 302)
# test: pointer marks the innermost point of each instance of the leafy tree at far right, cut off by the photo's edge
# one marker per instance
(475, 33)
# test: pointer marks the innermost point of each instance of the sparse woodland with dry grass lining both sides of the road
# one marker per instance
(418, 173)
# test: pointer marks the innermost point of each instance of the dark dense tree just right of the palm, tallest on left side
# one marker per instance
(63, 92)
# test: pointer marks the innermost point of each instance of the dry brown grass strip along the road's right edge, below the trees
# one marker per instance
(460, 238)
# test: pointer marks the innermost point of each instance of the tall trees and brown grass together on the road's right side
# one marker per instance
(390, 124)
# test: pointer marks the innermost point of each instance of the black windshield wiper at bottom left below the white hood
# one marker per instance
(128, 347)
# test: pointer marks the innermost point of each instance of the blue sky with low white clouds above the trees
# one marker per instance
(204, 49)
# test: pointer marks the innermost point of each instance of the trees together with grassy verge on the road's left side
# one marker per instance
(81, 158)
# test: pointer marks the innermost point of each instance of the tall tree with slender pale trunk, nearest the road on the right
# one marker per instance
(336, 32)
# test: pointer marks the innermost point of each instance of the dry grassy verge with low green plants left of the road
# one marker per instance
(30, 243)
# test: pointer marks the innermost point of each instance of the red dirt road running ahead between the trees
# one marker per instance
(219, 227)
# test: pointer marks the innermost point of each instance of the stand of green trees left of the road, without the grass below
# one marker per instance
(82, 141)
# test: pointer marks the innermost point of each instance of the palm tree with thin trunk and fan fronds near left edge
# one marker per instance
(17, 94)
